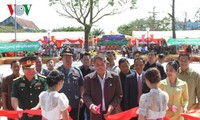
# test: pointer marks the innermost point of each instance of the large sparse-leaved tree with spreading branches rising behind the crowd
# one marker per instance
(88, 12)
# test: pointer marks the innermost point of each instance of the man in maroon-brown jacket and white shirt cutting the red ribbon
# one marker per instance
(102, 88)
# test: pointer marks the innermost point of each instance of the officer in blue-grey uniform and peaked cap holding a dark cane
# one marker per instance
(73, 85)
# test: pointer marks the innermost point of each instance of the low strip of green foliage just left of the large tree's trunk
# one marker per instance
(68, 29)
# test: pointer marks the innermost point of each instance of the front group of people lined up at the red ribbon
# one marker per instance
(99, 87)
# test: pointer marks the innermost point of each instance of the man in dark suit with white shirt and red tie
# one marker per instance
(135, 85)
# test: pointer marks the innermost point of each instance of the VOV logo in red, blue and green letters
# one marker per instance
(19, 9)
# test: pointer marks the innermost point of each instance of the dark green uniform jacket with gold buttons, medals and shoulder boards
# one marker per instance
(27, 92)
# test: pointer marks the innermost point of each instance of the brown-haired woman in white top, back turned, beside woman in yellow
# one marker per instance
(153, 105)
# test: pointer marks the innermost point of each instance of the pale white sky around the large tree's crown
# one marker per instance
(45, 17)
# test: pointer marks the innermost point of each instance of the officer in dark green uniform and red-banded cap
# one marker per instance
(26, 89)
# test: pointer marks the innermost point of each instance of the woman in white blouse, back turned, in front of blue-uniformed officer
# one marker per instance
(53, 104)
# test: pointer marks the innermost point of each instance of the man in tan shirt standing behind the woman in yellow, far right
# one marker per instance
(192, 78)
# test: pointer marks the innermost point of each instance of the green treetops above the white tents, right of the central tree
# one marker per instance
(142, 24)
